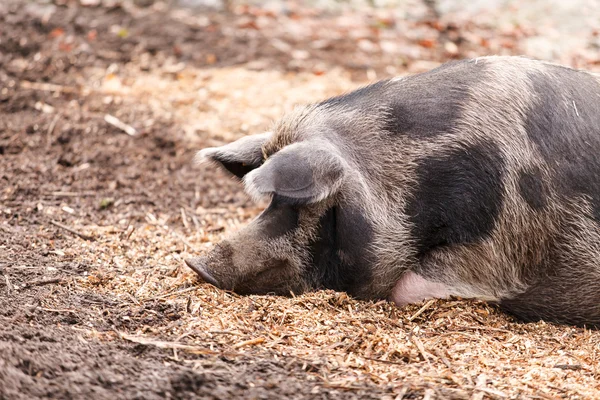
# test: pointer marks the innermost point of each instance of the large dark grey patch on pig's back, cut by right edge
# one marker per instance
(564, 124)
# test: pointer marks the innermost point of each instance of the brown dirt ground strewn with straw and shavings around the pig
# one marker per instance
(102, 107)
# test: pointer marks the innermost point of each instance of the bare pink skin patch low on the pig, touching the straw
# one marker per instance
(413, 288)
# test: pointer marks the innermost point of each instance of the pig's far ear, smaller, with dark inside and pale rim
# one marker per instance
(239, 157)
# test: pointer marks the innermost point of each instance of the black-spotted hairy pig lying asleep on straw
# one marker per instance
(478, 179)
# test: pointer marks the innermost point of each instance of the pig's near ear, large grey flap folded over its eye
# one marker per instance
(301, 173)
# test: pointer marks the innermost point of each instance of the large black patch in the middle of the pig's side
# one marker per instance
(458, 197)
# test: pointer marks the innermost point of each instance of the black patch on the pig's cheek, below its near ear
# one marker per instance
(340, 257)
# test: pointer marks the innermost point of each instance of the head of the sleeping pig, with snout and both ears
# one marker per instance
(311, 235)
